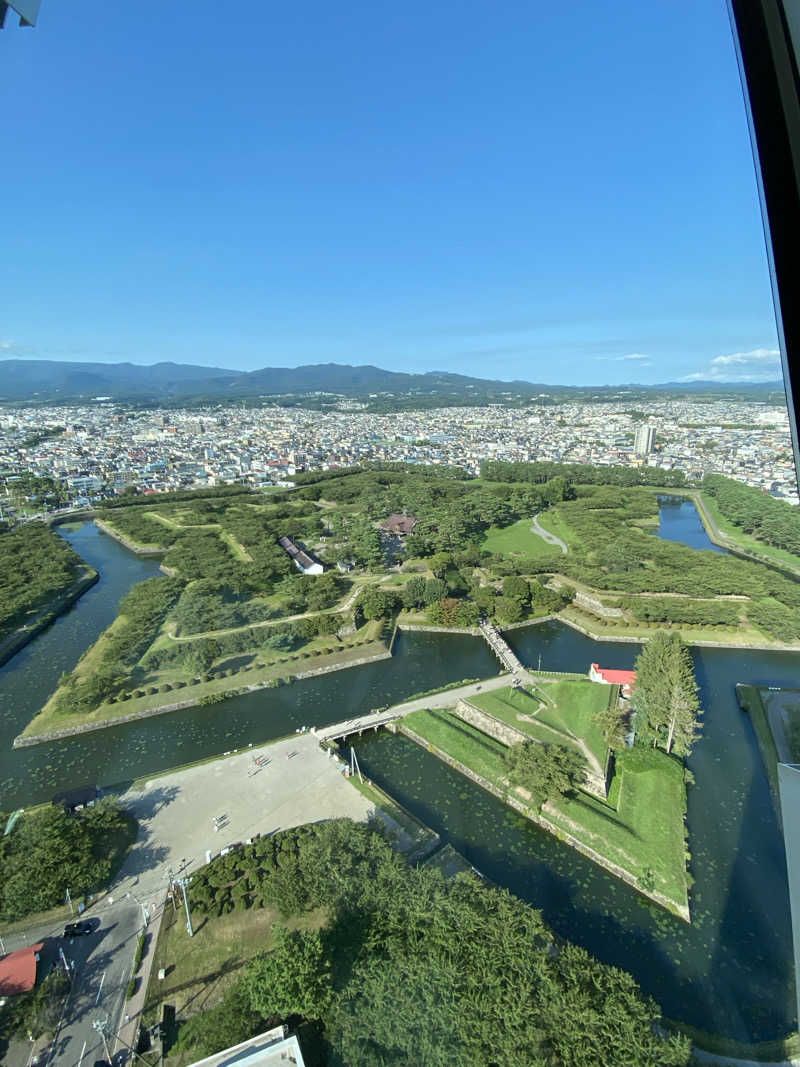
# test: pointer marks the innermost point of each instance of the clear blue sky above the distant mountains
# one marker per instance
(501, 189)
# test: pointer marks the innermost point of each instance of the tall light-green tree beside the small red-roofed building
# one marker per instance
(666, 694)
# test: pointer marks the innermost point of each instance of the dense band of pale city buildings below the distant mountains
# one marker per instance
(103, 449)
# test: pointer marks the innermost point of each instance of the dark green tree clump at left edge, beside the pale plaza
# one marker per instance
(49, 853)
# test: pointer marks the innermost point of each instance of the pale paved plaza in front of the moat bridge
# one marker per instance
(297, 783)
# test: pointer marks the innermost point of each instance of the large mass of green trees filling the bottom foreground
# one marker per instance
(414, 969)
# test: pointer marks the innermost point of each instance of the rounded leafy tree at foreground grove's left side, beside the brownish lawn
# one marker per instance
(295, 979)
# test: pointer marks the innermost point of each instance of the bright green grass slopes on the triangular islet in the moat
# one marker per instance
(641, 830)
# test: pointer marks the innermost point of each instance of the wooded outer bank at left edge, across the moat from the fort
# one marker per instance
(37, 565)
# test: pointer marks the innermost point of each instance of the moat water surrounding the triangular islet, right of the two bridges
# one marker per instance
(731, 972)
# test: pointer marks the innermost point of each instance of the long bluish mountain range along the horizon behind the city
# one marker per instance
(49, 381)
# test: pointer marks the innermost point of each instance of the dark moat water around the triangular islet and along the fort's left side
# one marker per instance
(730, 972)
